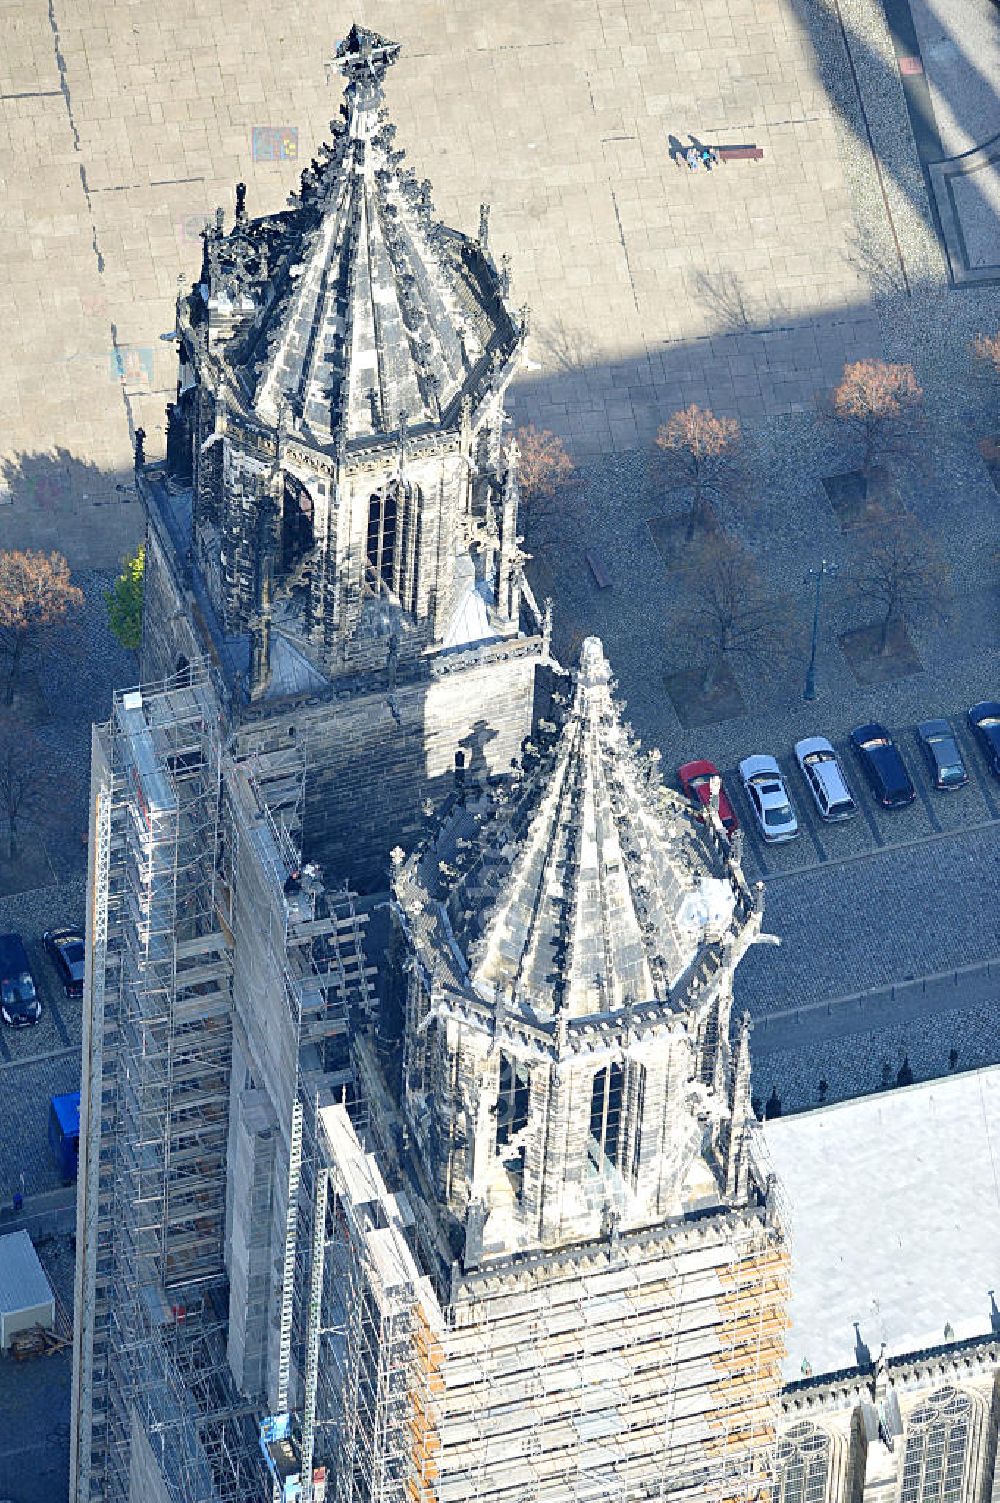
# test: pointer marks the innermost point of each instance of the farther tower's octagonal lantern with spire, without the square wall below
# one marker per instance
(341, 410)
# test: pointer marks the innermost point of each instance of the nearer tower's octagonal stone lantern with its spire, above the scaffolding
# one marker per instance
(566, 1050)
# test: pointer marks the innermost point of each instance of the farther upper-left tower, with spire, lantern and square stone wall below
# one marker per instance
(338, 519)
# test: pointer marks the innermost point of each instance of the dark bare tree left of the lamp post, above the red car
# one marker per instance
(727, 611)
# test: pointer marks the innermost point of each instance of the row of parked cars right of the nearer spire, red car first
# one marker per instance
(823, 775)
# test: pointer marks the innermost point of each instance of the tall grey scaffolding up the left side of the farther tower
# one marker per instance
(157, 1114)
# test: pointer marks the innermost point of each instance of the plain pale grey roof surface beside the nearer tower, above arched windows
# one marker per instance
(895, 1220)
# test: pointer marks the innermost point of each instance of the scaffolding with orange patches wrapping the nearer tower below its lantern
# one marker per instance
(583, 1376)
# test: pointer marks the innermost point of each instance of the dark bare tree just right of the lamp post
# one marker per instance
(900, 573)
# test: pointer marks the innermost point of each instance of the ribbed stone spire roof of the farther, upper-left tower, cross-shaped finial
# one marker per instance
(380, 316)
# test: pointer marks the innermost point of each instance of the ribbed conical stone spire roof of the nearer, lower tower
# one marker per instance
(586, 889)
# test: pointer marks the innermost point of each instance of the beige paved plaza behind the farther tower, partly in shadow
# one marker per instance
(650, 286)
